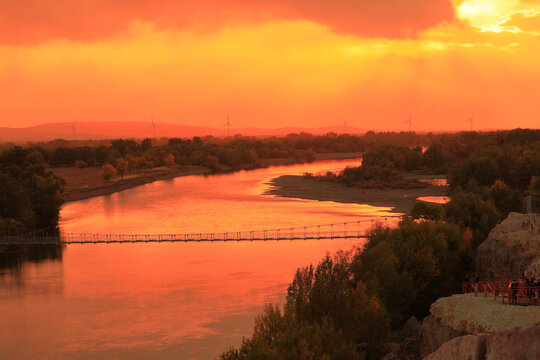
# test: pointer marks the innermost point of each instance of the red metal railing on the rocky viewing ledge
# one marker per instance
(520, 294)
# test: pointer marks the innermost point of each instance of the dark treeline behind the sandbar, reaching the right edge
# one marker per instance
(470, 159)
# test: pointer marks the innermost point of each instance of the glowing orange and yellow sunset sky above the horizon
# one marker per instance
(271, 64)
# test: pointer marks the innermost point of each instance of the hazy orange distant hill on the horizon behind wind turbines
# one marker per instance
(86, 130)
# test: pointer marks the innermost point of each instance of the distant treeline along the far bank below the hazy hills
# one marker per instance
(233, 153)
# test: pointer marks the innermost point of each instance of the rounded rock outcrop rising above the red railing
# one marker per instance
(512, 249)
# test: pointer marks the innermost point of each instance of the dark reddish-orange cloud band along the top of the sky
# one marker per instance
(34, 21)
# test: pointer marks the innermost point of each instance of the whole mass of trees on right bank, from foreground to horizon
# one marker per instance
(401, 271)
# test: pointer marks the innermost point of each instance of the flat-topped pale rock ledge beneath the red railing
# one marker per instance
(478, 328)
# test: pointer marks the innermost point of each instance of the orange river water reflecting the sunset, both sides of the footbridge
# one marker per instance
(164, 300)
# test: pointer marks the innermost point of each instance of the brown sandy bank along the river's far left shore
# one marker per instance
(88, 182)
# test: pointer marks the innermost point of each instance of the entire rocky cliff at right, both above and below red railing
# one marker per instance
(473, 327)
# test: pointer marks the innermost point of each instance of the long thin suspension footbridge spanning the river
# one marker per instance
(344, 230)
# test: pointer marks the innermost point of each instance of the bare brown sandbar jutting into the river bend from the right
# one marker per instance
(402, 200)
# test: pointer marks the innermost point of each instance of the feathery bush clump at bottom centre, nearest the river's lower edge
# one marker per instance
(327, 314)
